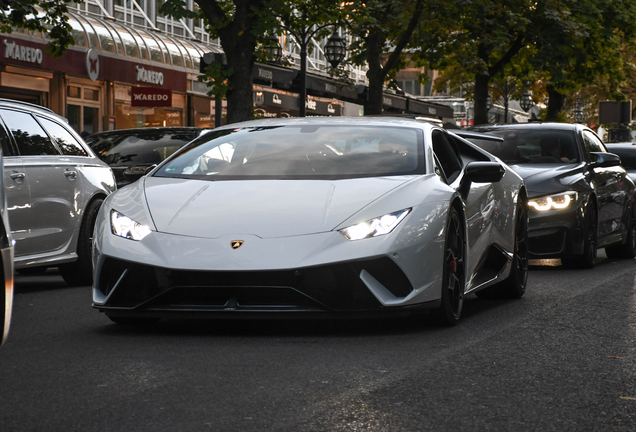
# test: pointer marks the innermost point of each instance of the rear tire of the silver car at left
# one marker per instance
(80, 272)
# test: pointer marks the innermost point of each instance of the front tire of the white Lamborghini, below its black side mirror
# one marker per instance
(454, 273)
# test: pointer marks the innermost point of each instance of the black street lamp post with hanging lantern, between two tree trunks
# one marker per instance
(335, 51)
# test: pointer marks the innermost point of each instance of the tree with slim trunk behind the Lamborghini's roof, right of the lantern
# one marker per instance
(382, 30)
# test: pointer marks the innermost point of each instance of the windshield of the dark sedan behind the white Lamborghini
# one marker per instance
(532, 146)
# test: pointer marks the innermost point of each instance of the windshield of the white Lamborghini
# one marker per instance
(292, 152)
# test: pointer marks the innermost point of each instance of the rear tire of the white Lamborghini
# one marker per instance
(514, 286)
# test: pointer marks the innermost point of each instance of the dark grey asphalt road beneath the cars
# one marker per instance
(561, 359)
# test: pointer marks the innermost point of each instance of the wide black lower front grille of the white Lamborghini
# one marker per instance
(332, 287)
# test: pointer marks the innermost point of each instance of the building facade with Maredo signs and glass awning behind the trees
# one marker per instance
(132, 67)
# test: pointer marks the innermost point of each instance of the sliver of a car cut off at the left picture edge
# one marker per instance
(6, 257)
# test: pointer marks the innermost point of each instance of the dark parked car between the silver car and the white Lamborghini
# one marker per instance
(139, 149)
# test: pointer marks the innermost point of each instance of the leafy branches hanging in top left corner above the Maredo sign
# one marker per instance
(53, 21)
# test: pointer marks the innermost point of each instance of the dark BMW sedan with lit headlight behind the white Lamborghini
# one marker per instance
(580, 197)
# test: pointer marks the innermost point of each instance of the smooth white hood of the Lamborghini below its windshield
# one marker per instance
(265, 208)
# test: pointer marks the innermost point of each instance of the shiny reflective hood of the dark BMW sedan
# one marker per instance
(549, 178)
